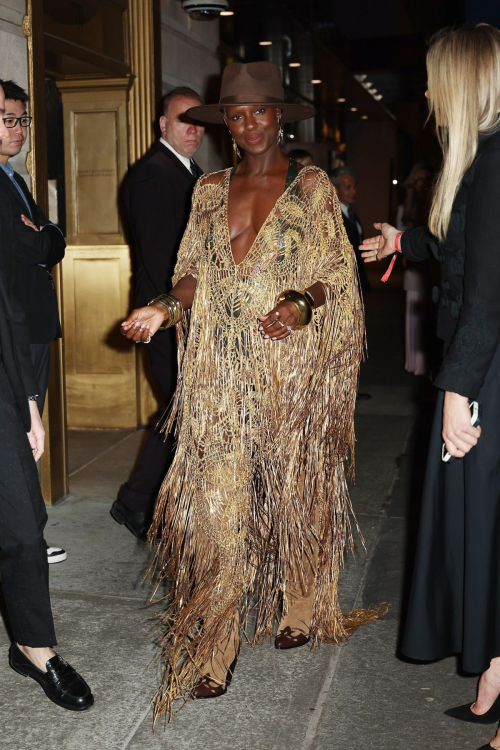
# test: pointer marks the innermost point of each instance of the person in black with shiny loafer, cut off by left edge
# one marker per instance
(23, 556)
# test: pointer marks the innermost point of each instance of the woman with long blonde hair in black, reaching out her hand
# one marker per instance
(455, 598)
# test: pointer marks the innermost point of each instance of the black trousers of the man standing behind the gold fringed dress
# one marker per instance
(140, 492)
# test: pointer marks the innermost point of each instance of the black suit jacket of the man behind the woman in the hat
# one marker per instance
(158, 199)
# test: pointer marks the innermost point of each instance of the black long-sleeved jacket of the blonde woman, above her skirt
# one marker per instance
(469, 303)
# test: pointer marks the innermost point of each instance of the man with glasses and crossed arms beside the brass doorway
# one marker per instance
(39, 246)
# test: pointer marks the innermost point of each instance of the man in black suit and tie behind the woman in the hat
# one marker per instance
(158, 199)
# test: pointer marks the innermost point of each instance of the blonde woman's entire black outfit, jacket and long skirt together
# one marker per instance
(455, 598)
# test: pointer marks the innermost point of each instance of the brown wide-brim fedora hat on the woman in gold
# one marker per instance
(251, 83)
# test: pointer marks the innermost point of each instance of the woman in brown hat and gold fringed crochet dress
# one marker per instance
(254, 511)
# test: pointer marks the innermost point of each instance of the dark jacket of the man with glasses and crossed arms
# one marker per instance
(37, 290)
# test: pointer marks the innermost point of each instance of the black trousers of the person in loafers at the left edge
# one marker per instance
(23, 552)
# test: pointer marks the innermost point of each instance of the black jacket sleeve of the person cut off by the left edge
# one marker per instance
(14, 339)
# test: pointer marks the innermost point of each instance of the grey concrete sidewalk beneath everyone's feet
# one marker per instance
(359, 695)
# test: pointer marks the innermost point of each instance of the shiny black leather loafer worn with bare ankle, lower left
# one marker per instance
(61, 683)
